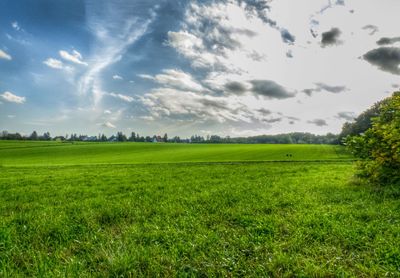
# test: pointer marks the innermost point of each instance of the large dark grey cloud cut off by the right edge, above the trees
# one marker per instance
(385, 58)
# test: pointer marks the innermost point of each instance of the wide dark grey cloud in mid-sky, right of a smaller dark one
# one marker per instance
(270, 89)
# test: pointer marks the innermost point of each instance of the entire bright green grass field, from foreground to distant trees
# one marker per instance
(135, 209)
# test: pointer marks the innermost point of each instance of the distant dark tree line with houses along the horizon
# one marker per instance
(287, 138)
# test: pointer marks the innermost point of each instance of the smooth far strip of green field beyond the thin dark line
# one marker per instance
(52, 153)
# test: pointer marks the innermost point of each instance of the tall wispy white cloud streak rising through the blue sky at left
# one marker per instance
(114, 33)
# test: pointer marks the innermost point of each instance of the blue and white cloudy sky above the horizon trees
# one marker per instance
(228, 67)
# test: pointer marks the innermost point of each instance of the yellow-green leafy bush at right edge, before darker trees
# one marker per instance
(379, 147)
